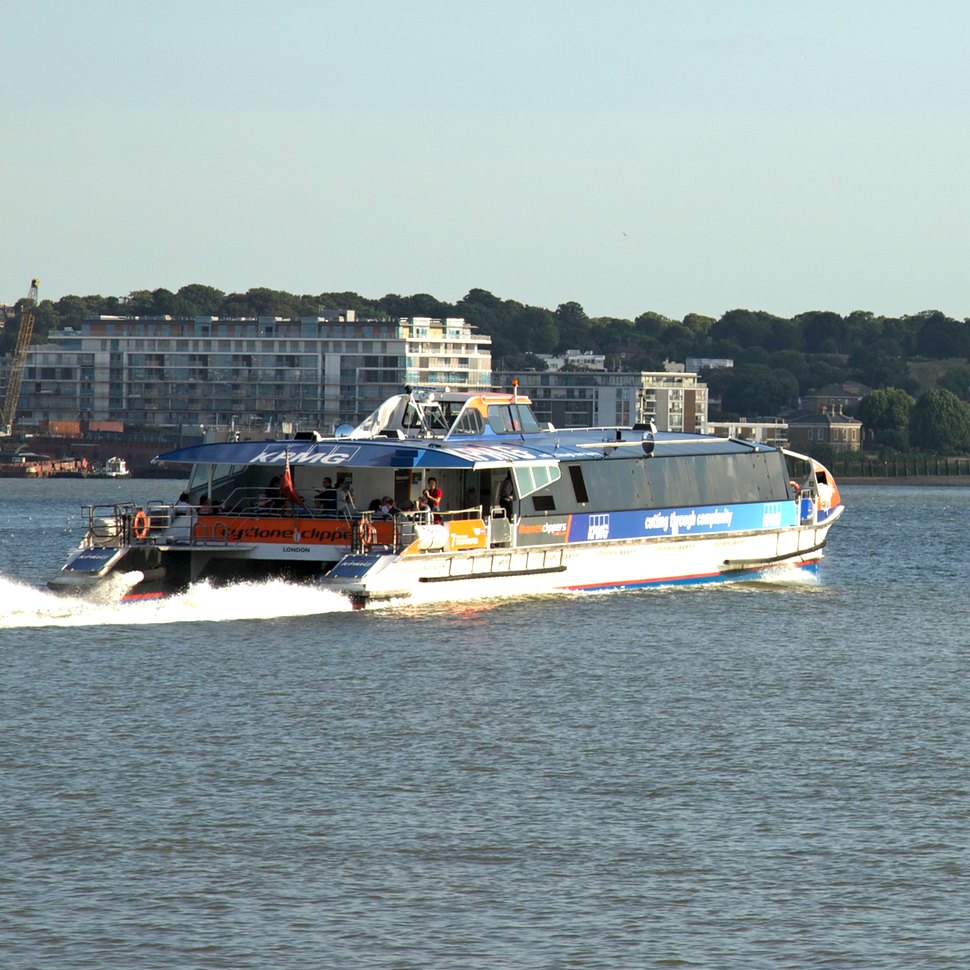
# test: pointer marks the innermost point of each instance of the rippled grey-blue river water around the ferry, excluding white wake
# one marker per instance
(258, 777)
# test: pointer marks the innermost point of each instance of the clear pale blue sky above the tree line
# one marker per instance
(680, 157)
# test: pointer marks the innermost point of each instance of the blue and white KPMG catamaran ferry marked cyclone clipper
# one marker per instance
(513, 507)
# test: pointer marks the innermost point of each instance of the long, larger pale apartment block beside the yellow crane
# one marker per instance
(266, 373)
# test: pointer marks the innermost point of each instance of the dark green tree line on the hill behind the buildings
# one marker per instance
(777, 359)
